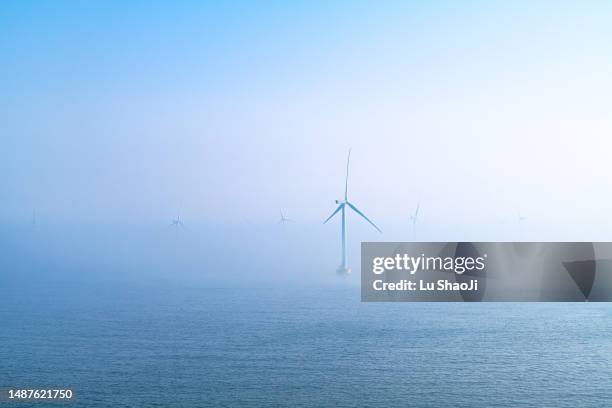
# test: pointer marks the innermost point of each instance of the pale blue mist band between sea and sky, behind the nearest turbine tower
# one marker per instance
(246, 254)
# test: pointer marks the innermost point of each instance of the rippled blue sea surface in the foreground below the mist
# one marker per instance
(145, 346)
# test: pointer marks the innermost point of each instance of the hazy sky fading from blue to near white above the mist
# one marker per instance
(224, 112)
